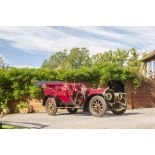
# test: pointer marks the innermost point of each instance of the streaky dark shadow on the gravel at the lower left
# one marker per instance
(26, 125)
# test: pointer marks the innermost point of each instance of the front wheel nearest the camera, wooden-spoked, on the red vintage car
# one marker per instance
(97, 106)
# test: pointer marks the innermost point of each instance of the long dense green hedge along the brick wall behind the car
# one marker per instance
(15, 84)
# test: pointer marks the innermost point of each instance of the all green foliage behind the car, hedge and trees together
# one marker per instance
(76, 66)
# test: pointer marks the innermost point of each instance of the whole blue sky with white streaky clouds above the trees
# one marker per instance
(29, 46)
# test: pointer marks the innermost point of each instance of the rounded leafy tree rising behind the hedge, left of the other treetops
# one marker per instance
(76, 58)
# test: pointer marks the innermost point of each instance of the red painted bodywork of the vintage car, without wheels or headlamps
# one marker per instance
(64, 91)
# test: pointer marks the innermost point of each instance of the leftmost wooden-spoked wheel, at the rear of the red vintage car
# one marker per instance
(51, 107)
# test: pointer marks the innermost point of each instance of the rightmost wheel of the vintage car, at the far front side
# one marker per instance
(119, 107)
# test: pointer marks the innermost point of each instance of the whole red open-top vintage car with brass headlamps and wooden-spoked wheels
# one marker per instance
(73, 96)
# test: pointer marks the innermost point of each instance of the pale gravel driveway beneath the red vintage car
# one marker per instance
(138, 118)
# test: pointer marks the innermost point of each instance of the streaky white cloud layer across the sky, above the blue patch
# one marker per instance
(96, 39)
